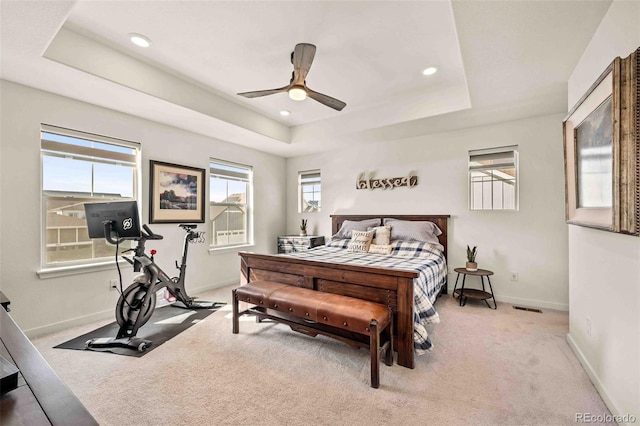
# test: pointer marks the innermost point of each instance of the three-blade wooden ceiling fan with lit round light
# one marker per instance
(301, 58)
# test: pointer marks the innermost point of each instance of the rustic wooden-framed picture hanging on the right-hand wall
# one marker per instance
(601, 151)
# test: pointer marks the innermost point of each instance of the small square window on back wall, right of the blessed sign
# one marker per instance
(493, 179)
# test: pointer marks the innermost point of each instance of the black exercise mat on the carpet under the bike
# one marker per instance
(165, 322)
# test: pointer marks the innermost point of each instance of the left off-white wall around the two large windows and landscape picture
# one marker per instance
(43, 305)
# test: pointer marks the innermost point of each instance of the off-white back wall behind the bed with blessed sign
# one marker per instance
(531, 241)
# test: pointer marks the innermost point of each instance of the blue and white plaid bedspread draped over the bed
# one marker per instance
(423, 258)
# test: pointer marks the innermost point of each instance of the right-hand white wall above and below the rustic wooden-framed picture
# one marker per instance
(604, 268)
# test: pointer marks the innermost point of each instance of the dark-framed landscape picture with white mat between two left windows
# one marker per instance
(176, 193)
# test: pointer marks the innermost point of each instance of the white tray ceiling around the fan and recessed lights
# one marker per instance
(498, 60)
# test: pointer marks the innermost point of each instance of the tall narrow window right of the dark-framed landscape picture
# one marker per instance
(230, 213)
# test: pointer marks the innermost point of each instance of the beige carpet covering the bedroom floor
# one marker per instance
(487, 368)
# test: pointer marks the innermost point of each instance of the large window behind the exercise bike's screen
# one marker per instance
(79, 168)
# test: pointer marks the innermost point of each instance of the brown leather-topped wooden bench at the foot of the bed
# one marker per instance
(357, 322)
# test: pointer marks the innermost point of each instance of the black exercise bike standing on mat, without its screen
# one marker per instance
(138, 301)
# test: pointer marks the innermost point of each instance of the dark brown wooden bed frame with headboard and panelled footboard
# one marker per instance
(390, 287)
